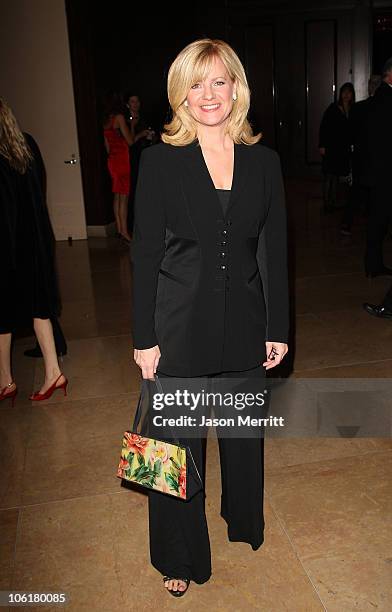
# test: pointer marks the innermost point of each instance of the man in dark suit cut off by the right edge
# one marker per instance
(379, 137)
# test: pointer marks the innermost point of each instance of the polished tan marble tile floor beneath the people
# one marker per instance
(67, 525)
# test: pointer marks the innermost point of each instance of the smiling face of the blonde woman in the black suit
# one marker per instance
(210, 101)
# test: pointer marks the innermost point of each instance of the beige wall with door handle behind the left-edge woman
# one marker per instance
(35, 78)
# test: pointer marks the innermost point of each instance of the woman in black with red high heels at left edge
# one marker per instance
(30, 290)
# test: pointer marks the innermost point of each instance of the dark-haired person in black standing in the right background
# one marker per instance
(335, 144)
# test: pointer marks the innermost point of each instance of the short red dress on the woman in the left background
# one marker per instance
(118, 160)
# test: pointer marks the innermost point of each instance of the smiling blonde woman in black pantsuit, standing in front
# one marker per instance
(210, 291)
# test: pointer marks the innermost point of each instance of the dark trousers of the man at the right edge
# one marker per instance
(380, 213)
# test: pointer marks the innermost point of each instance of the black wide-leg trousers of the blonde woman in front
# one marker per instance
(179, 539)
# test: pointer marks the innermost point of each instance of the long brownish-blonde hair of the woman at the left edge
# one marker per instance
(13, 146)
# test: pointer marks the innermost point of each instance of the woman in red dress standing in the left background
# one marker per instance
(118, 137)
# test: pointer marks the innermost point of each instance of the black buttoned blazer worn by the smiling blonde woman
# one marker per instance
(209, 289)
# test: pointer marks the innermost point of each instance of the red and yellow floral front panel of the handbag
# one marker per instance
(154, 464)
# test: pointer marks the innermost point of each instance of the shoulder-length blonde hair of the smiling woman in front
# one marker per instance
(192, 65)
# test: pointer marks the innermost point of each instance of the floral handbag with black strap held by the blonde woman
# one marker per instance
(155, 464)
